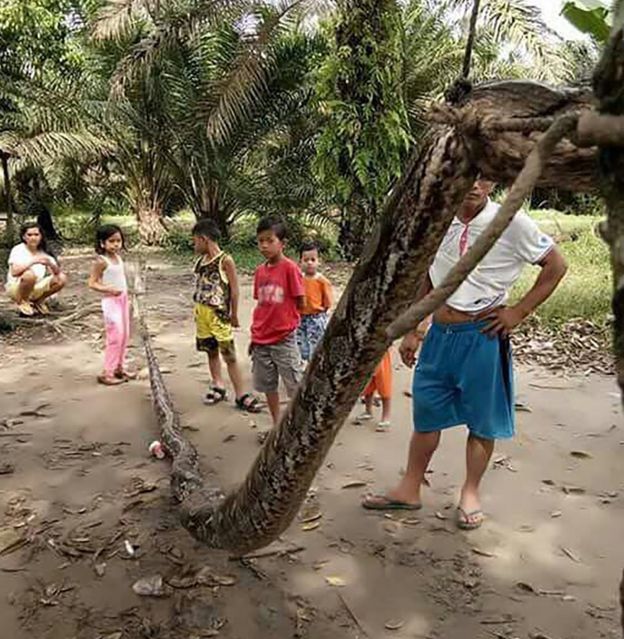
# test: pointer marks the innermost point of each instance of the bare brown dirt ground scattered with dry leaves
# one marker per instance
(86, 513)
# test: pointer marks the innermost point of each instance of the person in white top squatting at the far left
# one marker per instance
(33, 274)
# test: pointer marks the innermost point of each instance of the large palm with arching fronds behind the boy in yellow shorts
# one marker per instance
(223, 76)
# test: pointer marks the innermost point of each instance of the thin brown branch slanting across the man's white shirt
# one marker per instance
(521, 189)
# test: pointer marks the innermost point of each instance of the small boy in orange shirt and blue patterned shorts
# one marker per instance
(318, 300)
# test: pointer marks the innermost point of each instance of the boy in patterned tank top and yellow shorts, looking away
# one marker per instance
(216, 314)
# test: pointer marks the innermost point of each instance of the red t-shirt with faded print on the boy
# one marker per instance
(276, 288)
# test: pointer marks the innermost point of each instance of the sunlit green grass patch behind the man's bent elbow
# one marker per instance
(586, 290)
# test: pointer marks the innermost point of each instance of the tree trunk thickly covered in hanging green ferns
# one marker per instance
(364, 140)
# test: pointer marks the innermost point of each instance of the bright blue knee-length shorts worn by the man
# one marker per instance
(464, 377)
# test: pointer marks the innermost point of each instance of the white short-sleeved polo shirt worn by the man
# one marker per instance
(489, 283)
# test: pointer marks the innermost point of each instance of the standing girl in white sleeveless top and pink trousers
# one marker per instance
(108, 277)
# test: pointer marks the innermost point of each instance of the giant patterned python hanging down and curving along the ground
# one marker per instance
(383, 284)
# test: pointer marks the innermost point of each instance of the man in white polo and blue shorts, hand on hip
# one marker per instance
(464, 373)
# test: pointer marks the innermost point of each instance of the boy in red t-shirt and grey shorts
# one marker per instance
(279, 292)
